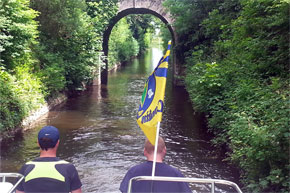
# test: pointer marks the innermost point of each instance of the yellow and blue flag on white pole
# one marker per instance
(151, 107)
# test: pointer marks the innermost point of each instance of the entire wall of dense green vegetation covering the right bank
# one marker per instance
(237, 72)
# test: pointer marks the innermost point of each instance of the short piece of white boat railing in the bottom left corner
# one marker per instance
(8, 187)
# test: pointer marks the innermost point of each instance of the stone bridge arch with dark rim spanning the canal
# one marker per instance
(127, 7)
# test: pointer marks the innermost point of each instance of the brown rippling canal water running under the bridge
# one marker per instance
(100, 136)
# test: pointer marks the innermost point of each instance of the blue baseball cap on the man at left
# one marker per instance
(48, 133)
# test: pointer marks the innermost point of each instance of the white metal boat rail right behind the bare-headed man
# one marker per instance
(181, 179)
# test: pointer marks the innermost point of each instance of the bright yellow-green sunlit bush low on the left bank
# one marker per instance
(20, 94)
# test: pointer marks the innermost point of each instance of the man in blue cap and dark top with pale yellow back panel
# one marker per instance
(47, 173)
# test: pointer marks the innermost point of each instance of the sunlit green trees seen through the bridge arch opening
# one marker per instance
(130, 37)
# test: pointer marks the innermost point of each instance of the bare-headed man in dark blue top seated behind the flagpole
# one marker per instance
(162, 169)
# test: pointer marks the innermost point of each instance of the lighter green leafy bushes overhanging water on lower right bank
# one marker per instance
(249, 115)
